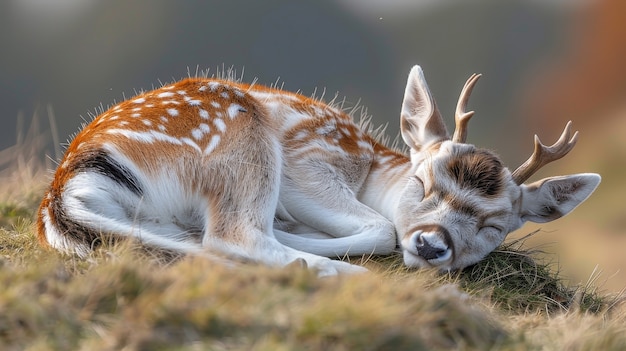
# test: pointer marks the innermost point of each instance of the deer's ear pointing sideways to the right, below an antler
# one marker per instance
(554, 197)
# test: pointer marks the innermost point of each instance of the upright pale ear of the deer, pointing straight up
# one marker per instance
(420, 120)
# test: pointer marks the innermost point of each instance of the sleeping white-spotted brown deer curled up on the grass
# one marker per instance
(214, 166)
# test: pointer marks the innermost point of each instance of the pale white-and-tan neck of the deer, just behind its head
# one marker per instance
(387, 178)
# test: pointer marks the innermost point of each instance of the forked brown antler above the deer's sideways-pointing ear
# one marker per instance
(542, 155)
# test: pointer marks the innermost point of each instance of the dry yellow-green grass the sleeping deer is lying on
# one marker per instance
(124, 297)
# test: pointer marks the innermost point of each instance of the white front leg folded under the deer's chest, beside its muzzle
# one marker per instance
(332, 210)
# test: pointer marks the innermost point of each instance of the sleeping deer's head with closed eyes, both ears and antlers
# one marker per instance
(461, 201)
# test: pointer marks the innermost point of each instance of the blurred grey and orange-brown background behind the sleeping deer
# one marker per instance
(544, 62)
